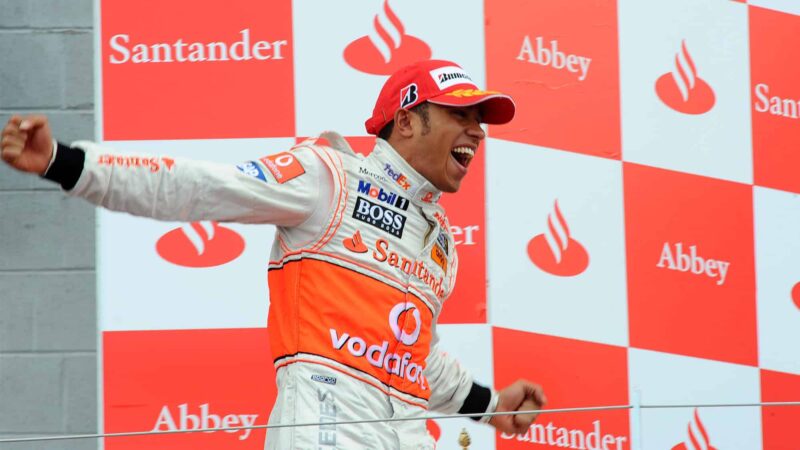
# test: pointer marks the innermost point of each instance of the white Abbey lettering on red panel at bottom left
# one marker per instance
(204, 419)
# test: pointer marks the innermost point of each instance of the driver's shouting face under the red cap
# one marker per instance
(443, 151)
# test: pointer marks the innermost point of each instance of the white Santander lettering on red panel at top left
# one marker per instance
(124, 51)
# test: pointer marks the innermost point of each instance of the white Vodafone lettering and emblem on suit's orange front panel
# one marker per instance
(378, 354)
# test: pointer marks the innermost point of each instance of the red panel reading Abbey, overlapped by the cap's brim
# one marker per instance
(566, 53)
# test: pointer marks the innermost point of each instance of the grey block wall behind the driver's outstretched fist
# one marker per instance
(48, 349)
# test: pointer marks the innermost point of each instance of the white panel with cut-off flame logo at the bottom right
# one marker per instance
(666, 379)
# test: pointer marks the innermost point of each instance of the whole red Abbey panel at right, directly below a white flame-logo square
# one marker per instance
(691, 274)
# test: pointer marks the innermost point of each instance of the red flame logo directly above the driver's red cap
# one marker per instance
(388, 49)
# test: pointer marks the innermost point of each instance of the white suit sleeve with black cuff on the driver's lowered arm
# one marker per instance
(453, 389)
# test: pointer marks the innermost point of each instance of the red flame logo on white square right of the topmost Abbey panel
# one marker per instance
(682, 90)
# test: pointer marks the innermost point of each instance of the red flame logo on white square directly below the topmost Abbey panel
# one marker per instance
(555, 251)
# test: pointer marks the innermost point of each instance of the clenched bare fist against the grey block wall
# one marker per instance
(27, 144)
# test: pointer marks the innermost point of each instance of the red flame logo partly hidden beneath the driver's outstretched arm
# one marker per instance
(200, 244)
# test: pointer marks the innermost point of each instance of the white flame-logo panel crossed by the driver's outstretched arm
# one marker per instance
(173, 275)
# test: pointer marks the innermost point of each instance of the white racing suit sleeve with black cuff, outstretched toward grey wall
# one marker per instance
(185, 190)
